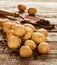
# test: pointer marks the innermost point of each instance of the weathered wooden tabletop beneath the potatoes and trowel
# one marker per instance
(45, 10)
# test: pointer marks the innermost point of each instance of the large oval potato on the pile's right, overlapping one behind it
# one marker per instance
(38, 37)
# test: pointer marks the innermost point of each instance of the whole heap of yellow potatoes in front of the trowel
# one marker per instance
(17, 33)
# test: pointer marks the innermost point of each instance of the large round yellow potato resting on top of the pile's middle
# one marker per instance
(19, 30)
